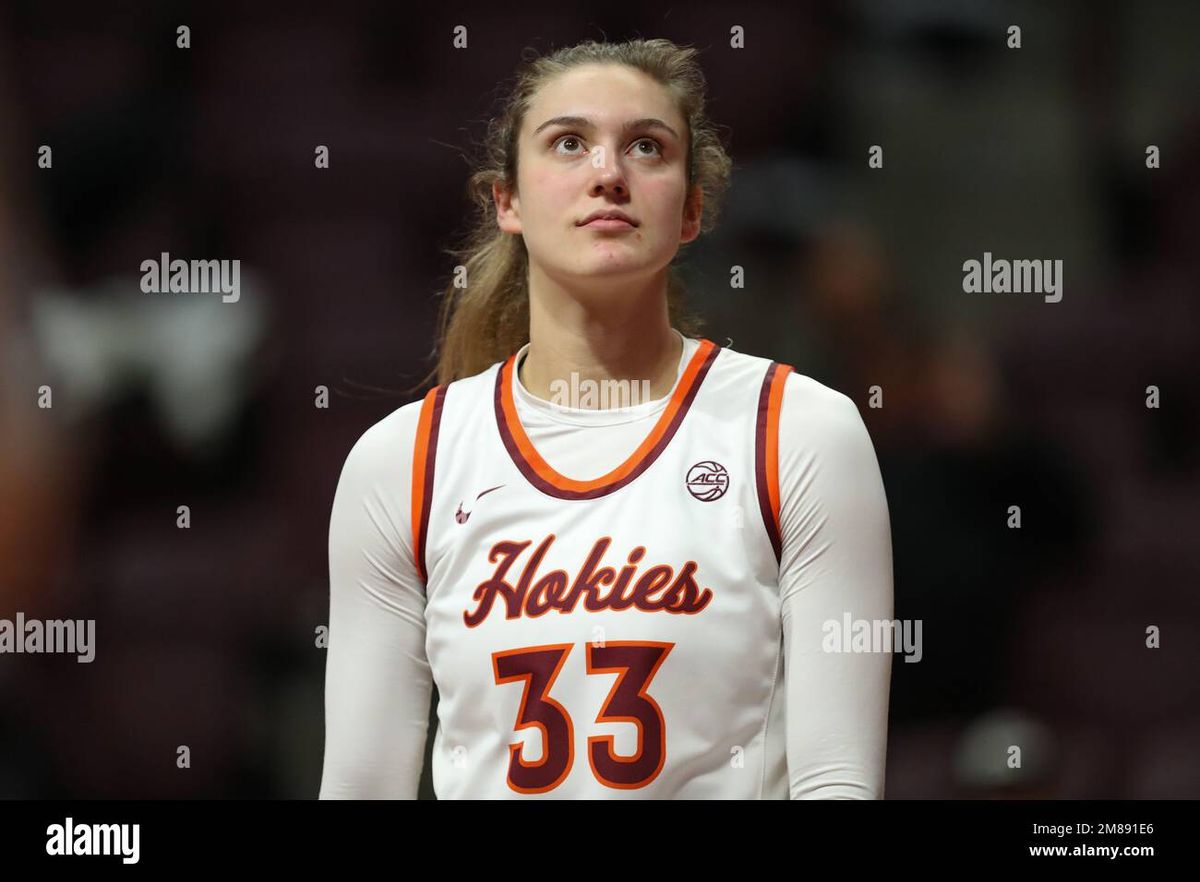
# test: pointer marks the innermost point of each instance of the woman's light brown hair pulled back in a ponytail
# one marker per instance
(489, 320)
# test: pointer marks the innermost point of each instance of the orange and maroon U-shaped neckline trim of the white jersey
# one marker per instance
(543, 477)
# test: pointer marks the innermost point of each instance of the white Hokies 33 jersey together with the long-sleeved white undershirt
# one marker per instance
(622, 633)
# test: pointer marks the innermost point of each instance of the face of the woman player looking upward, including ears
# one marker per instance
(626, 148)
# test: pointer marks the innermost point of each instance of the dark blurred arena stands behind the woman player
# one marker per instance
(207, 637)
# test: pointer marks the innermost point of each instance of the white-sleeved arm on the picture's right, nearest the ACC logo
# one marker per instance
(837, 560)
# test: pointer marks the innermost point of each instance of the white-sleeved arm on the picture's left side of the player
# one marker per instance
(377, 676)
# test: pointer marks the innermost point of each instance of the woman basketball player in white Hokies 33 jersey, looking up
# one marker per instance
(626, 602)
